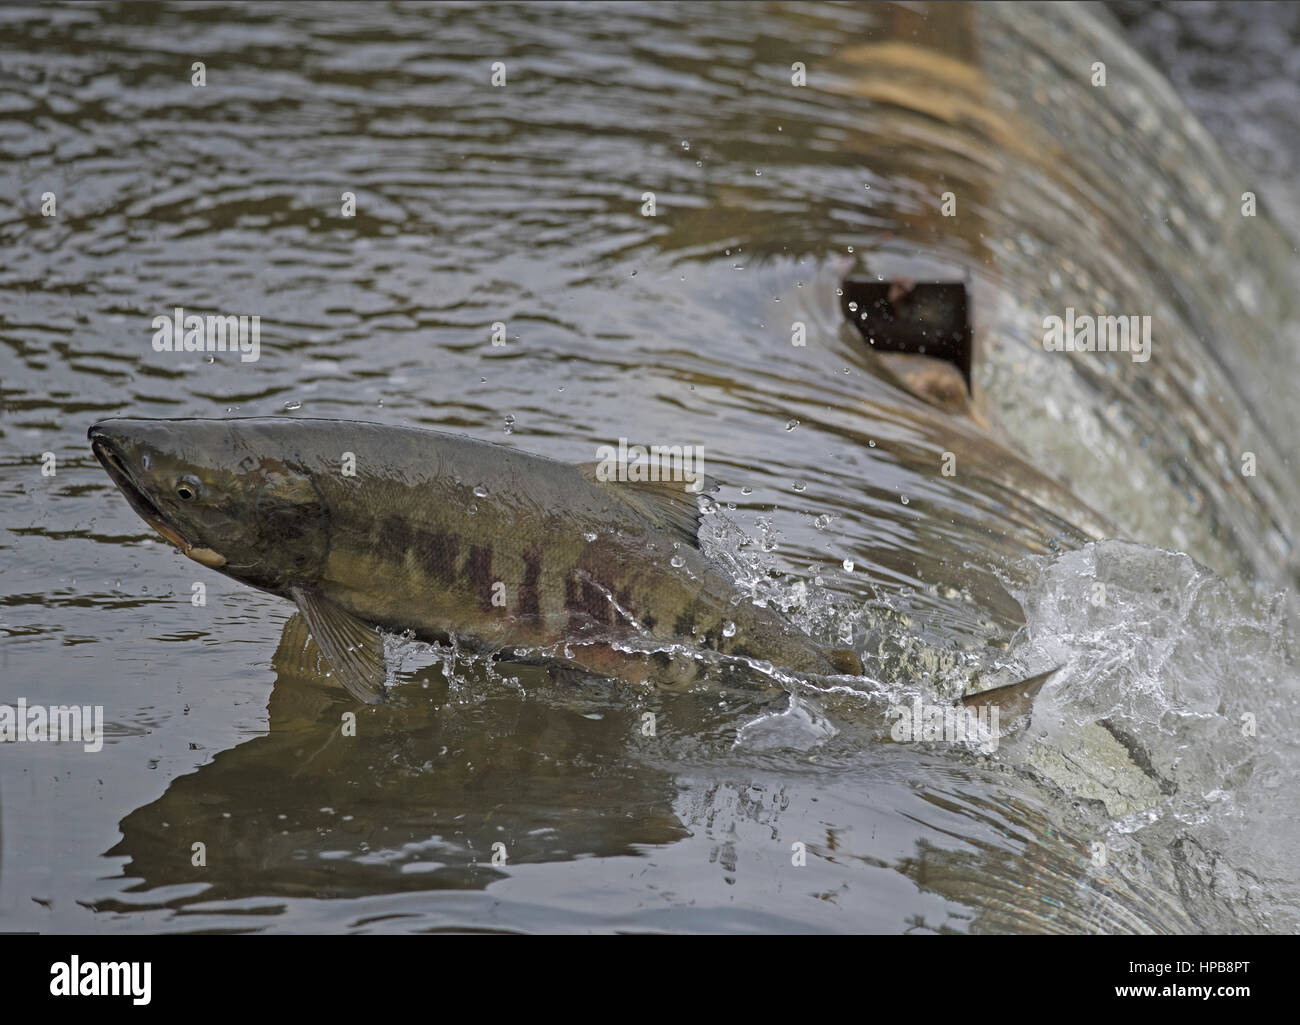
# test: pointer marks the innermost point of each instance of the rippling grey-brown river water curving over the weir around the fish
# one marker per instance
(523, 205)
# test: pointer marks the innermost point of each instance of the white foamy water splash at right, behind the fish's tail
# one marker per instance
(1195, 685)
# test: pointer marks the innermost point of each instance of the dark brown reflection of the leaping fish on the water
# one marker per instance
(413, 799)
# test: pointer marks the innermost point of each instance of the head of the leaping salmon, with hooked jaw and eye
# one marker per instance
(222, 495)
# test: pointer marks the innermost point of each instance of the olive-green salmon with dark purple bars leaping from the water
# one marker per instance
(370, 526)
